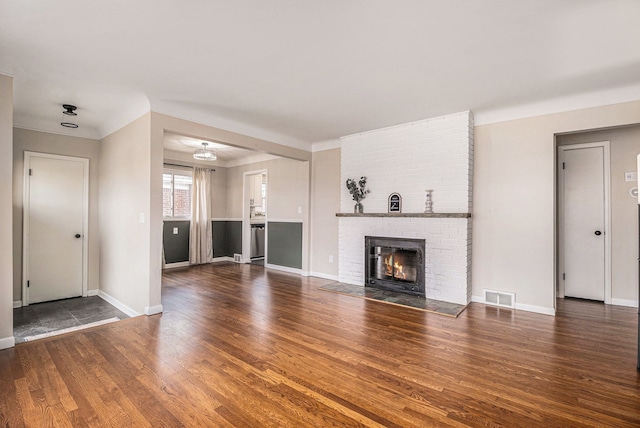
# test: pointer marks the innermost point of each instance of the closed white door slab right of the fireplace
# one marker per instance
(583, 222)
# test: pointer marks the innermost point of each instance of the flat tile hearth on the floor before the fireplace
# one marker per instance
(417, 302)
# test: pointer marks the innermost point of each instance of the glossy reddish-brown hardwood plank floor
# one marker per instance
(240, 346)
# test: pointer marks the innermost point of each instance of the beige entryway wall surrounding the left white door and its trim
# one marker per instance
(44, 142)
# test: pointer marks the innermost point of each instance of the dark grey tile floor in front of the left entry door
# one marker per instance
(60, 314)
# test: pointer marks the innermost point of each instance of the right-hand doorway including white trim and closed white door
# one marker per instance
(584, 225)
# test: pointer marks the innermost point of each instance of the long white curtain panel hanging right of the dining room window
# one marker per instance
(200, 242)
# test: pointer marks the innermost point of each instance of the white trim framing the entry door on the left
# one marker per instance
(25, 219)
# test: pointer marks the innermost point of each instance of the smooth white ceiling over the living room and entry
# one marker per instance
(302, 72)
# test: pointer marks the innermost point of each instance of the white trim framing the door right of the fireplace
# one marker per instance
(560, 292)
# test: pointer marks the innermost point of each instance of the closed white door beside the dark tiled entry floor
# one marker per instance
(56, 202)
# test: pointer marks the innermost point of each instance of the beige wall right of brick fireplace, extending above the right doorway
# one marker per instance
(514, 201)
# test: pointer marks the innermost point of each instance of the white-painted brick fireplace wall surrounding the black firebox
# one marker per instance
(432, 154)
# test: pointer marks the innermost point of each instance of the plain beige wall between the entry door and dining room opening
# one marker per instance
(125, 208)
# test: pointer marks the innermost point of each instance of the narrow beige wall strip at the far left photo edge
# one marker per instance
(6, 213)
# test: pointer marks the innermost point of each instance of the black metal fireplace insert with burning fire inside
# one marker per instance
(395, 264)
